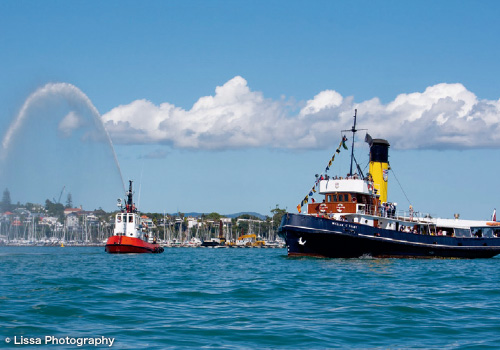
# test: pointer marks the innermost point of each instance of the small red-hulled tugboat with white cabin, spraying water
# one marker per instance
(130, 235)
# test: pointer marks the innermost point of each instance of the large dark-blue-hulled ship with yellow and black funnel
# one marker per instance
(355, 220)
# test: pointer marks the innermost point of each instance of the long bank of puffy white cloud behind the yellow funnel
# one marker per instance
(443, 116)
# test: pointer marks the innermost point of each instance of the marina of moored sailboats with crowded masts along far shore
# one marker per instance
(75, 227)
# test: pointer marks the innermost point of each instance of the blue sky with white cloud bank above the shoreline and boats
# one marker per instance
(233, 106)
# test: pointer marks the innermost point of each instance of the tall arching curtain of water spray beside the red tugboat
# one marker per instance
(58, 141)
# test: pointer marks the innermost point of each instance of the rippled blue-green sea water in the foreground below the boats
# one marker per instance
(190, 298)
